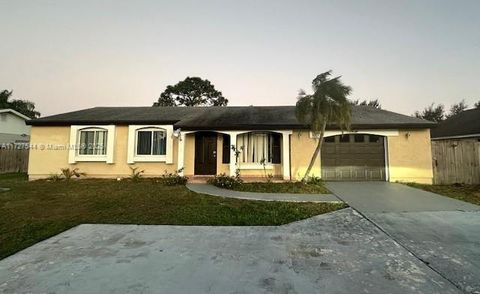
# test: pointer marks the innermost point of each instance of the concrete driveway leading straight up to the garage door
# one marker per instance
(441, 231)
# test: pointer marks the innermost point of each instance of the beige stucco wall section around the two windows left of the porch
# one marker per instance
(43, 163)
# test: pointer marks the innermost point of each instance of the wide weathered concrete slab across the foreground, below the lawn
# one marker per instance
(339, 252)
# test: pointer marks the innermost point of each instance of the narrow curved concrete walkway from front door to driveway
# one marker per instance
(289, 197)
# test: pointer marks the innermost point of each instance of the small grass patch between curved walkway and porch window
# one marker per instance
(285, 187)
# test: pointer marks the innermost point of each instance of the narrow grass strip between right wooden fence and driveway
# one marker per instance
(467, 193)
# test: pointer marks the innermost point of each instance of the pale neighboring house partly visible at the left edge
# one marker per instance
(13, 128)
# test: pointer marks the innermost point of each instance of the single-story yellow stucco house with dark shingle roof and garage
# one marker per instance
(199, 141)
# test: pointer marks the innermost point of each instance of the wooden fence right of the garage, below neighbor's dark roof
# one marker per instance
(456, 161)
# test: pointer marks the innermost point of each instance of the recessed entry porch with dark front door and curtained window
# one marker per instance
(252, 153)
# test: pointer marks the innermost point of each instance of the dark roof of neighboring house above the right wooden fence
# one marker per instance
(463, 124)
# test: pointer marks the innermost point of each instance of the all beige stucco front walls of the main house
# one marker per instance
(409, 156)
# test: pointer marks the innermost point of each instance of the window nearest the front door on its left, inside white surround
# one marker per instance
(151, 142)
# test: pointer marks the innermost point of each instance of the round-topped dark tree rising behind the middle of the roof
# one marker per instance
(193, 91)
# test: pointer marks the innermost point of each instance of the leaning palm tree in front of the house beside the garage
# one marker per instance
(327, 104)
